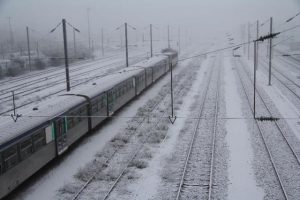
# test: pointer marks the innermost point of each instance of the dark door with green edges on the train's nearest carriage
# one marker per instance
(61, 135)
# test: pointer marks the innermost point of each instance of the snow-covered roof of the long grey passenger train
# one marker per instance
(58, 104)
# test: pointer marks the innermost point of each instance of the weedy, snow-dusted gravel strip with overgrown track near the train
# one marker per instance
(133, 155)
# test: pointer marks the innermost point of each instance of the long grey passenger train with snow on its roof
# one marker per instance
(48, 128)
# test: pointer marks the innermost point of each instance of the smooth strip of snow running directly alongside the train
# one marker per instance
(65, 171)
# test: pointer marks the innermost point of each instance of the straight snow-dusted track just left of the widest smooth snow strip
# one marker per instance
(191, 179)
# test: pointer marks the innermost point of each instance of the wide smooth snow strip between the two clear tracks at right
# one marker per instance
(241, 174)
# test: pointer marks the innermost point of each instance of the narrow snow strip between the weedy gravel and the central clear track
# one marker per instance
(150, 181)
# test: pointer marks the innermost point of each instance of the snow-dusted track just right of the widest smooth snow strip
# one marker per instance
(280, 150)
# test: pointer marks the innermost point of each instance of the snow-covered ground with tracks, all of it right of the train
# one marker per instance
(139, 154)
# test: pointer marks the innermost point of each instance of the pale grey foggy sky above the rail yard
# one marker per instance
(201, 18)
